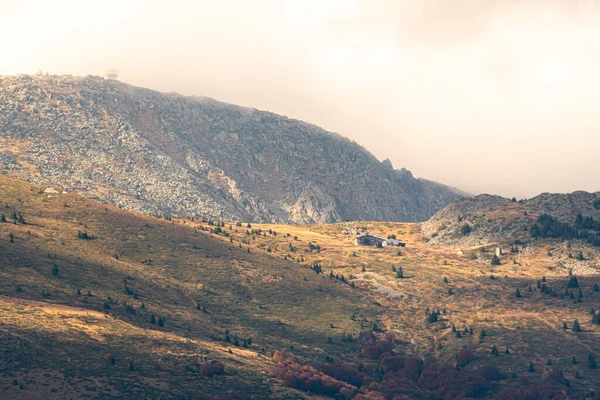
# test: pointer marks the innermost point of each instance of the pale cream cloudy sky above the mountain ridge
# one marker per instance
(490, 96)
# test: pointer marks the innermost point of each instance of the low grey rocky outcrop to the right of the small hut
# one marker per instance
(493, 219)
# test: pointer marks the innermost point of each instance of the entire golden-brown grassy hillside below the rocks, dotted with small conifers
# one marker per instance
(76, 311)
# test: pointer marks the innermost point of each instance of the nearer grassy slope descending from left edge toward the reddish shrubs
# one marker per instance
(126, 309)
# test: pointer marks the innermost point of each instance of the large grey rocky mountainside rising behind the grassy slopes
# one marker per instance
(162, 154)
